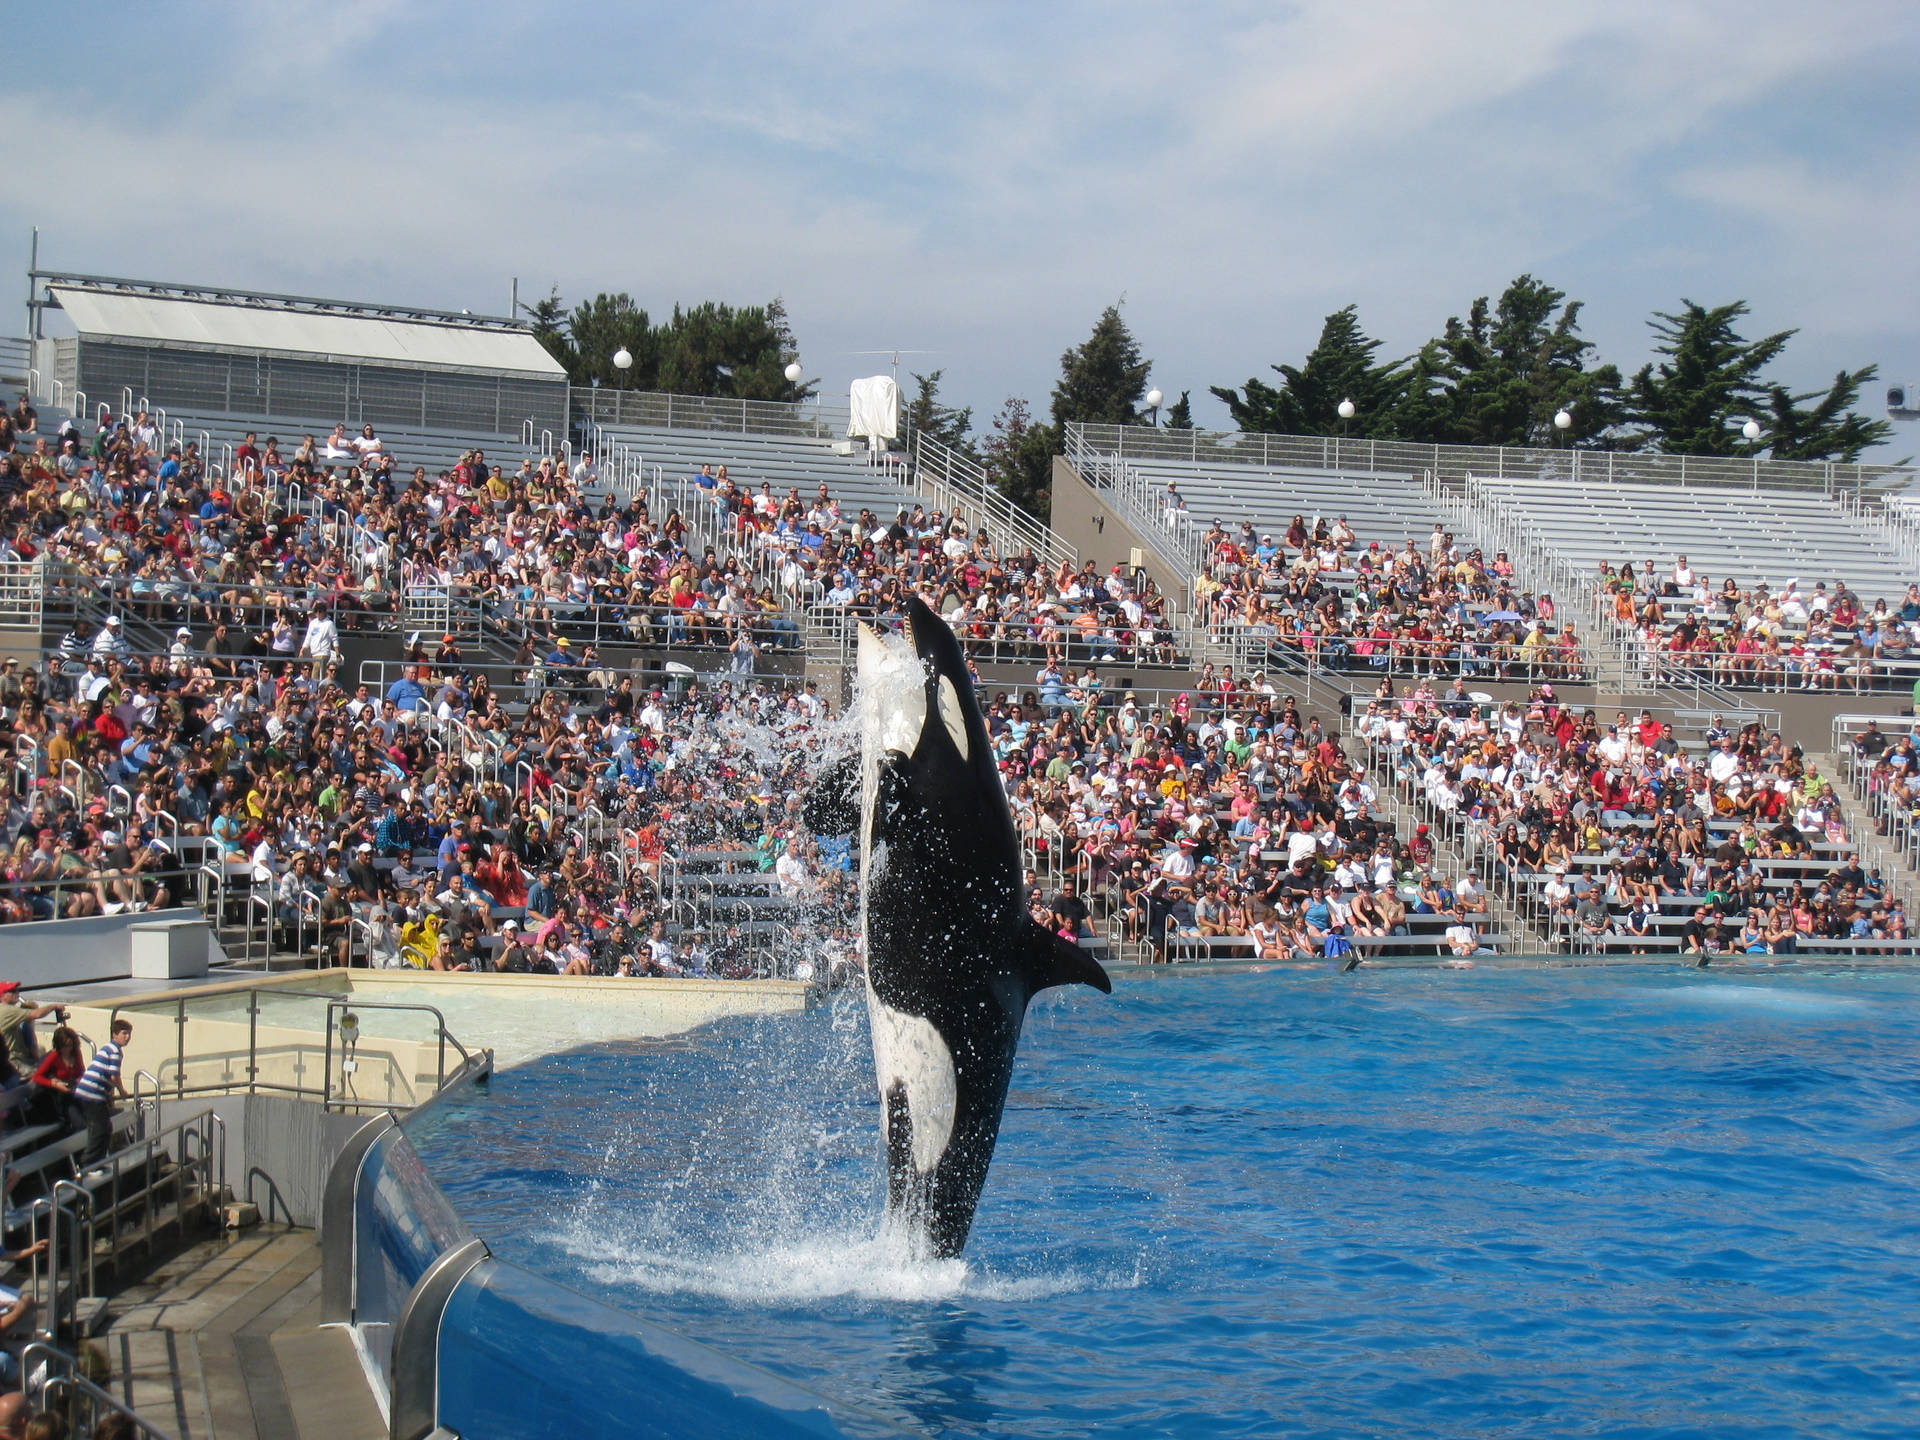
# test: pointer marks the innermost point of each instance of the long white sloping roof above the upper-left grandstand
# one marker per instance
(304, 333)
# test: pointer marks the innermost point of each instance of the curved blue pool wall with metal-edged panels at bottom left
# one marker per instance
(458, 1339)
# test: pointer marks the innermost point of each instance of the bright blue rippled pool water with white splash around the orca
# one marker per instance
(1454, 1205)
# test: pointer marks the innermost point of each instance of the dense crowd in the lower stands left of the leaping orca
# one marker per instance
(429, 825)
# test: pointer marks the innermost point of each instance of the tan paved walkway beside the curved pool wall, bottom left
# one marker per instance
(226, 1341)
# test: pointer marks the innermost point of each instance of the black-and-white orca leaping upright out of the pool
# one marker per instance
(951, 953)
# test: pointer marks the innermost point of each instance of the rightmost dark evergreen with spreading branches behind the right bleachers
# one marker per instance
(1691, 402)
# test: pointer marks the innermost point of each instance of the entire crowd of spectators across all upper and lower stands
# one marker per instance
(1205, 815)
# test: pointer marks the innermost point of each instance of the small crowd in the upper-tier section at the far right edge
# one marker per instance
(1788, 638)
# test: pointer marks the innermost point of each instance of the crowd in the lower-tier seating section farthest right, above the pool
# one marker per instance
(1606, 830)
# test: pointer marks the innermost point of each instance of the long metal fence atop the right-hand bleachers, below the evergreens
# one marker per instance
(1600, 468)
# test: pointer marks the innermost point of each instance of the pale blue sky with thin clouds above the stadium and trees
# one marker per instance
(972, 183)
